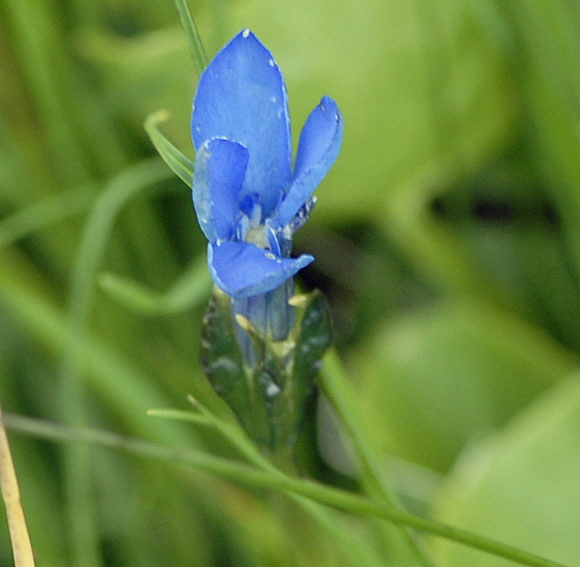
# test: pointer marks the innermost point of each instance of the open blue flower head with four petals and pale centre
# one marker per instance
(248, 200)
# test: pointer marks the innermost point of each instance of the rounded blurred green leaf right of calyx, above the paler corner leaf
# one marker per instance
(443, 377)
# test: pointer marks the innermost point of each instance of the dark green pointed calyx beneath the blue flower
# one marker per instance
(268, 397)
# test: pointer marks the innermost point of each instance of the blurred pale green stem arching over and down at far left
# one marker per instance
(77, 460)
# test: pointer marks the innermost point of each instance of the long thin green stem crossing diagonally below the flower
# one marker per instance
(245, 474)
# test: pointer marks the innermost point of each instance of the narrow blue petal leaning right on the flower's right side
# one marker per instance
(318, 149)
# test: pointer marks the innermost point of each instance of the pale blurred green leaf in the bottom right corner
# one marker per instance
(521, 485)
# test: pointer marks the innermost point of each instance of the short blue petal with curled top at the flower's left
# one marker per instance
(219, 170)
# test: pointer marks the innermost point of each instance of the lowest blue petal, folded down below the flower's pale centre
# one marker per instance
(242, 269)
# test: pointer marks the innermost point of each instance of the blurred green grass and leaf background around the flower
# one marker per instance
(447, 240)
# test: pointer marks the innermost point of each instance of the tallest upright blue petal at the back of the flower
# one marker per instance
(241, 96)
